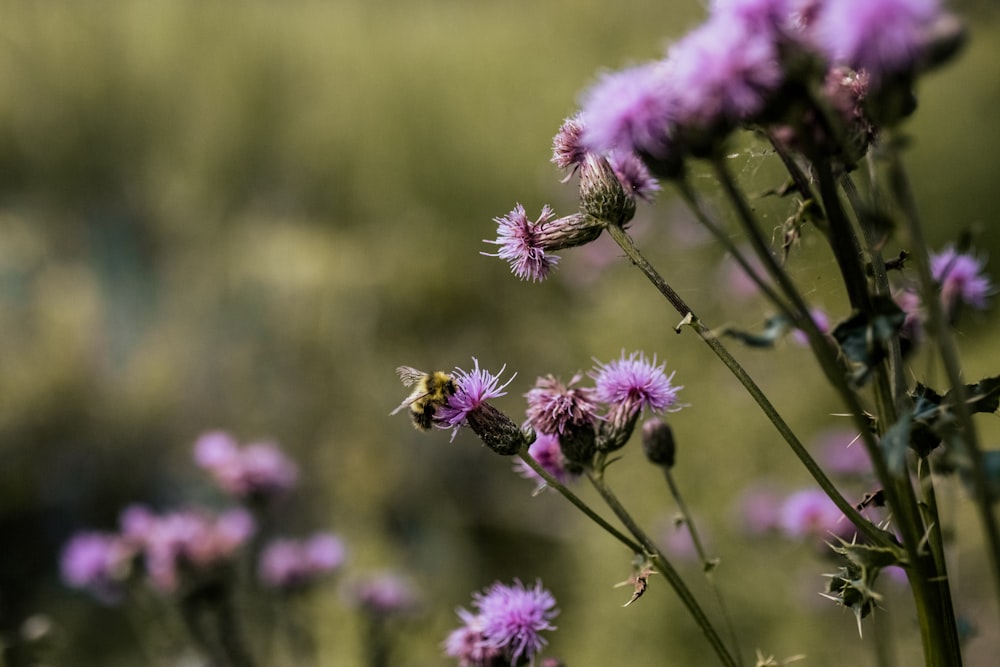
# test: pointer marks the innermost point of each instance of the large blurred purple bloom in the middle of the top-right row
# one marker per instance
(723, 72)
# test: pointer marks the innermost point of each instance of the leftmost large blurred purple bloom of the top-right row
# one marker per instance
(631, 111)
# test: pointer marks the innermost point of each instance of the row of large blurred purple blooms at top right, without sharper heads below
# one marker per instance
(749, 60)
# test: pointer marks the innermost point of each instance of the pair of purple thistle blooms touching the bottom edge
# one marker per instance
(506, 627)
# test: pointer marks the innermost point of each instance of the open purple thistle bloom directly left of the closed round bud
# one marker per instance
(635, 383)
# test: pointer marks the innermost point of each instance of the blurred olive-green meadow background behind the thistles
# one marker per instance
(245, 215)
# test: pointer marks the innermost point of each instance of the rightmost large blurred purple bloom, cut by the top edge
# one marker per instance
(882, 37)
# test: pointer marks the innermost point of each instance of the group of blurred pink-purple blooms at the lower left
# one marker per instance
(178, 550)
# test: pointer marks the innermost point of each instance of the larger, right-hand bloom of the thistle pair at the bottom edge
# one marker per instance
(513, 618)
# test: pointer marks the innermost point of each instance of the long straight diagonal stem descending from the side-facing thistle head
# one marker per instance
(870, 531)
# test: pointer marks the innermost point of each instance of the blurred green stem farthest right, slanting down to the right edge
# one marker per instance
(938, 325)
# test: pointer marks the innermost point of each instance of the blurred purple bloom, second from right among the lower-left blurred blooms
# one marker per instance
(290, 564)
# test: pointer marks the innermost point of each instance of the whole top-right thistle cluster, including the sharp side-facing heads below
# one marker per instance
(789, 67)
